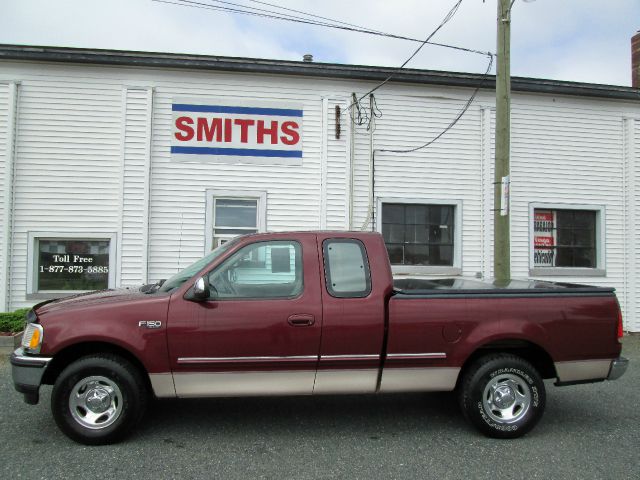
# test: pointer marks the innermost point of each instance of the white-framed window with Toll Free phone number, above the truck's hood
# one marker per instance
(64, 263)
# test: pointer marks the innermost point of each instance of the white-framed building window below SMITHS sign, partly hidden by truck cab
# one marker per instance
(230, 214)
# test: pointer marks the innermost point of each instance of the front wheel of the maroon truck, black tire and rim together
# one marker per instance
(99, 399)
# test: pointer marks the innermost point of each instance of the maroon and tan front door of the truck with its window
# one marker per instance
(259, 333)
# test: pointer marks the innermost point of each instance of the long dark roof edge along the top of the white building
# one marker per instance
(311, 69)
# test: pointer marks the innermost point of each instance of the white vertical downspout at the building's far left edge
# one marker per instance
(7, 214)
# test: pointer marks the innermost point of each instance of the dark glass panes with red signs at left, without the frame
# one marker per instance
(565, 238)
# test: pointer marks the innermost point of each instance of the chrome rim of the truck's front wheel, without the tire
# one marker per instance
(95, 402)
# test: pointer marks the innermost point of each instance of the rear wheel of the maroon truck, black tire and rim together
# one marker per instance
(502, 395)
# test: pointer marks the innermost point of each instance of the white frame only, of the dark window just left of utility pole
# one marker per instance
(456, 268)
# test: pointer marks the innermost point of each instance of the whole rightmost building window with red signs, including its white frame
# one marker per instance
(567, 240)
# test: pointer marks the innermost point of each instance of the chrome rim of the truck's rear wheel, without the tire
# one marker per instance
(506, 398)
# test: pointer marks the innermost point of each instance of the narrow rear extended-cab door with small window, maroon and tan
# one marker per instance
(353, 319)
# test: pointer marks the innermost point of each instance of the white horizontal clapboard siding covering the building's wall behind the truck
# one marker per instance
(83, 149)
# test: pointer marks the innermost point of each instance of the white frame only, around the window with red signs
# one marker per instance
(600, 242)
